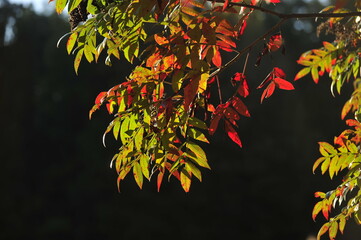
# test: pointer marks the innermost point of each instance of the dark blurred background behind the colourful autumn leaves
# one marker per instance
(55, 177)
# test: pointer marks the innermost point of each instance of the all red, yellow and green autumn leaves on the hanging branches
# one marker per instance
(166, 109)
